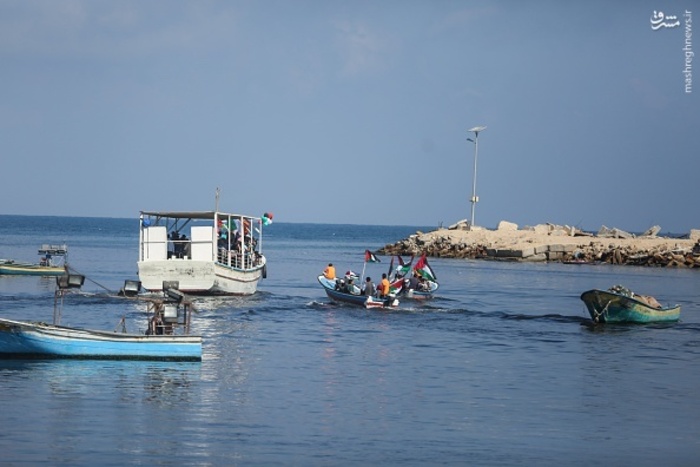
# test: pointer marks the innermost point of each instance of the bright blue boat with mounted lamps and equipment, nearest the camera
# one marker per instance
(166, 338)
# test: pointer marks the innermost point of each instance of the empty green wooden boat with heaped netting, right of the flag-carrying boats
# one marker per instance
(620, 305)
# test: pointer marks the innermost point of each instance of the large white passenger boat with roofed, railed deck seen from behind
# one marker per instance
(203, 252)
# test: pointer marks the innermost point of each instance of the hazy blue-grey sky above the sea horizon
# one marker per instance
(353, 112)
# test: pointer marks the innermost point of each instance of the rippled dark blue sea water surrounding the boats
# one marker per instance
(501, 368)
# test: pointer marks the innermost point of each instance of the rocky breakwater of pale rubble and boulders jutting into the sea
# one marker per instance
(550, 242)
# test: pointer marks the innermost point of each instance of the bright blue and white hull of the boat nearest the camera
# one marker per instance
(39, 340)
